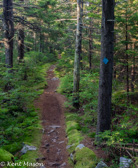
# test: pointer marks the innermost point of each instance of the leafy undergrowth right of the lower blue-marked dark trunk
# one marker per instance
(124, 128)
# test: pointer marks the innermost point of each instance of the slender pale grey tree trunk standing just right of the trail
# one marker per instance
(77, 56)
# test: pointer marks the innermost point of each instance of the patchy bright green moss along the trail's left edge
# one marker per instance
(34, 135)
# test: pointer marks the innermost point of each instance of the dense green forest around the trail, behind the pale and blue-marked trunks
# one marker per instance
(38, 33)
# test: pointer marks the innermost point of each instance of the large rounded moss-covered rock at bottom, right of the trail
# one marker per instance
(85, 158)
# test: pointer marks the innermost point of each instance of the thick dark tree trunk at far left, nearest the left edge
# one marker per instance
(8, 26)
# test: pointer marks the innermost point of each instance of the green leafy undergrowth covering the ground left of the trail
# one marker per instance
(19, 119)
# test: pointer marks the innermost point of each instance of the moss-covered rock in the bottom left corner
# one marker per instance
(5, 156)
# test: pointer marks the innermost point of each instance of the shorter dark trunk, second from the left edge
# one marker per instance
(21, 41)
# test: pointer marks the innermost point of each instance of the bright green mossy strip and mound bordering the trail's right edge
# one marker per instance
(83, 158)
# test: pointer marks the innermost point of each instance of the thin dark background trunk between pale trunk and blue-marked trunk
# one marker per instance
(90, 44)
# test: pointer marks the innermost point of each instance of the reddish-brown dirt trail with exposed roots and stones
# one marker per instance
(54, 139)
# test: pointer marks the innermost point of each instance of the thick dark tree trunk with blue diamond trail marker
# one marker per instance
(106, 66)
